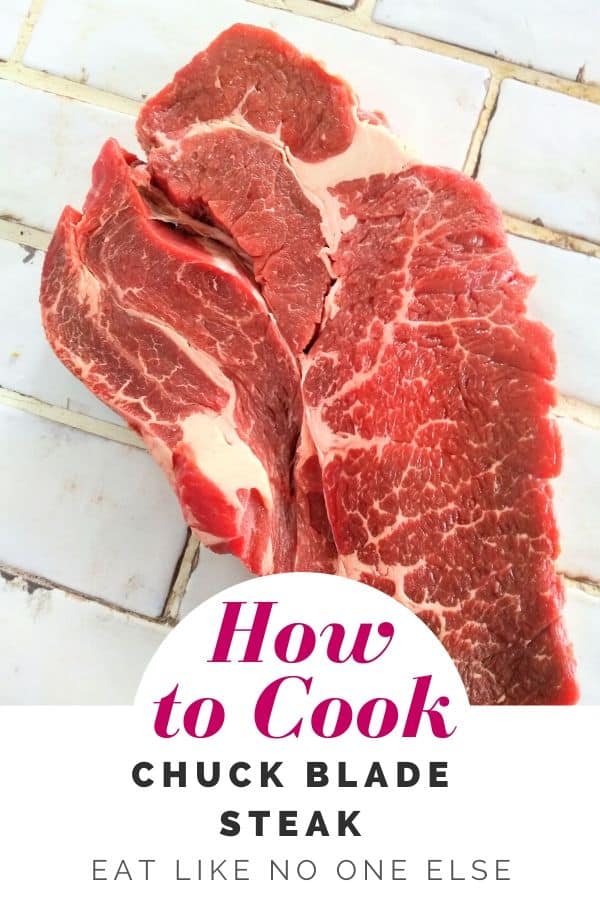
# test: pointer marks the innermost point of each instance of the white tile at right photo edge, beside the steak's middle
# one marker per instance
(566, 298)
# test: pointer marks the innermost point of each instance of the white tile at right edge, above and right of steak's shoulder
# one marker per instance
(540, 158)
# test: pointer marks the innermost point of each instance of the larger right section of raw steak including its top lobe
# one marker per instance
(427, 390)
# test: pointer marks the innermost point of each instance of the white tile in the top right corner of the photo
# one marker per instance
(530, 32)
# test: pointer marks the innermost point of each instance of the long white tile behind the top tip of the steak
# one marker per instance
(431, 101)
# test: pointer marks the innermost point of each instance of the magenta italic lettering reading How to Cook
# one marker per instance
(294, 704)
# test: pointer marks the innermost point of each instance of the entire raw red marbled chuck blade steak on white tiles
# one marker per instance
(416, 453)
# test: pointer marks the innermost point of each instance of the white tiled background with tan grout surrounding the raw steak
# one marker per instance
(92, 517)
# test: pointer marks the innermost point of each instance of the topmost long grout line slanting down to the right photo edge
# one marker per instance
(357, 20)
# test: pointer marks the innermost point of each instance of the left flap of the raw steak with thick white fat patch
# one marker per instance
(167, 329)
